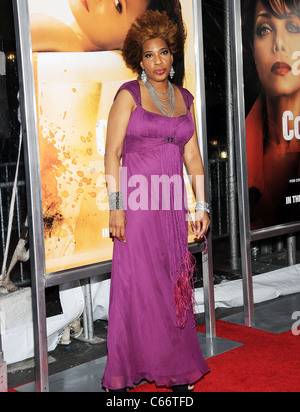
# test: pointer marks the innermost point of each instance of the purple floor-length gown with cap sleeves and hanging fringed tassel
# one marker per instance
(152, 333)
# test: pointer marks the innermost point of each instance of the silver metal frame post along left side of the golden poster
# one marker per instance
(33, 187)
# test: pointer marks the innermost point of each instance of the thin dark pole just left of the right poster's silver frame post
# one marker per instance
(232, 179)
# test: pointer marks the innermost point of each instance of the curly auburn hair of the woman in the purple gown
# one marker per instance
(152, 25)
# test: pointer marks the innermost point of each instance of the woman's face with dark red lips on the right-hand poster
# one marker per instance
(275, 41)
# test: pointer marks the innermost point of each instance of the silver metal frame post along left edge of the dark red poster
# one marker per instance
(241, 151)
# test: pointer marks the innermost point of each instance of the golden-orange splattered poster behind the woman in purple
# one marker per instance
(78, 69)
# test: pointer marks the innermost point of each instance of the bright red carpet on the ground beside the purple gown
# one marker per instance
(266, 363)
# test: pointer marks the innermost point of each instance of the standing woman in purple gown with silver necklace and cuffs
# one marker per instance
(152, 333)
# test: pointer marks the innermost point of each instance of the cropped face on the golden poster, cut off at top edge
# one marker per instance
(106, 22)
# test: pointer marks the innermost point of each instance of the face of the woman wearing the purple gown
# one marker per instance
(157, 59)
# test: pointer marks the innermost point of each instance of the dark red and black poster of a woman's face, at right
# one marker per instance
(271, 40)
